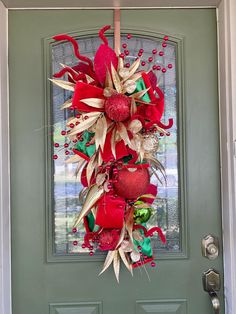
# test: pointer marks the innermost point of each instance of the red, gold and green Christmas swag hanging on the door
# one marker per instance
(117, 114)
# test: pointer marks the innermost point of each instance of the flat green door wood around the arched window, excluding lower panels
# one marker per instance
(36, 283)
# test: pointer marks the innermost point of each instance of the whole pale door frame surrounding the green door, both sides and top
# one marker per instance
(226, 23)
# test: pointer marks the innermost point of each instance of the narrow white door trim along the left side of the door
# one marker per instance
(5, 224)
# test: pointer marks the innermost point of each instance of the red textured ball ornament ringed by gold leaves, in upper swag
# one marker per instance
(117, 107)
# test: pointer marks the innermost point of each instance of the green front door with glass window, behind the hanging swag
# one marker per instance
(49, 275)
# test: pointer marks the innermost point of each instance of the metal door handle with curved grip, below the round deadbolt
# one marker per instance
(211, 284)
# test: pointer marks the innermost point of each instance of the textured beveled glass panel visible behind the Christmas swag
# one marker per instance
(66, 187)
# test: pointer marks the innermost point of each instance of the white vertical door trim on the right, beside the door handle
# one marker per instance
(227, 97)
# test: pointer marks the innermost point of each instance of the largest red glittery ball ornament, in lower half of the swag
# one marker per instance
(132, 182)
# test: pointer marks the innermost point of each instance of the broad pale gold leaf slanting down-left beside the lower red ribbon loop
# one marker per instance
(92, 197)
